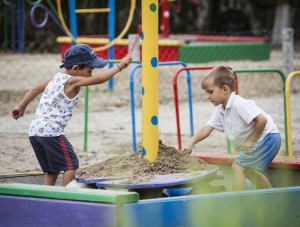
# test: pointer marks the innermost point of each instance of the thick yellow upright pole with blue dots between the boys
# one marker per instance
(150, 79)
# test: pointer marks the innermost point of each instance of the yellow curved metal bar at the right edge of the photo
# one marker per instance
(288, 111)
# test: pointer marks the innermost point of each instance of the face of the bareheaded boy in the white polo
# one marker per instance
(216, 94)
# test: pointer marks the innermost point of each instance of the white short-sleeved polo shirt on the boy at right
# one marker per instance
(237, 120)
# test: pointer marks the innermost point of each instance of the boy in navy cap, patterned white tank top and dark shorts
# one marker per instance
(60, 95)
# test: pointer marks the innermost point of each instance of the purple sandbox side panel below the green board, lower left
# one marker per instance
(40, 212)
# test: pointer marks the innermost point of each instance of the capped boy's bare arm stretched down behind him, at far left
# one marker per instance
(18, 111)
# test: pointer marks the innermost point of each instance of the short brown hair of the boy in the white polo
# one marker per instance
(221, 76)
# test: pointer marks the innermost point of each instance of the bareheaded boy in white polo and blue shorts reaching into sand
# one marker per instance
(249, 129)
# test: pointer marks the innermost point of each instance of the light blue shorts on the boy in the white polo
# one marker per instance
(261, 154)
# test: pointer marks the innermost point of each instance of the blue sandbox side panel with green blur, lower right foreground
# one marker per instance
(270, 207)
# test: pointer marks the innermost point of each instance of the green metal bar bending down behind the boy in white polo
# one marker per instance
(265, 70)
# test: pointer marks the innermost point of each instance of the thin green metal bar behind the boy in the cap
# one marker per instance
(86, 106)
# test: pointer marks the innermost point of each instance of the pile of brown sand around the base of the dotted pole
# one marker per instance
(138, 169)
